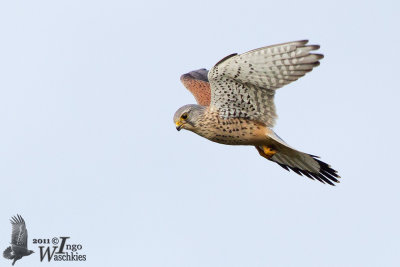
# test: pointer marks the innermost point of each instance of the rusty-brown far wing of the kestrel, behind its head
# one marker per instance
(197, 83)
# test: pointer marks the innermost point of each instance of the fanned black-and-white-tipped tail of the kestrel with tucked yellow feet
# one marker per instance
(301, 163)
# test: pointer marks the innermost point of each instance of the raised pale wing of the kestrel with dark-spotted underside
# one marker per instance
(244, 85)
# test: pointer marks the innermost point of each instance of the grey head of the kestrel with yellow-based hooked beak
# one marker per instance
(187, 117)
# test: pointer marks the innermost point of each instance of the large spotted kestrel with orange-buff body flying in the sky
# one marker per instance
(236, 103)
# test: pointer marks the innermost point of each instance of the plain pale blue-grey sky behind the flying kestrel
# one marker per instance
(88, 148)
